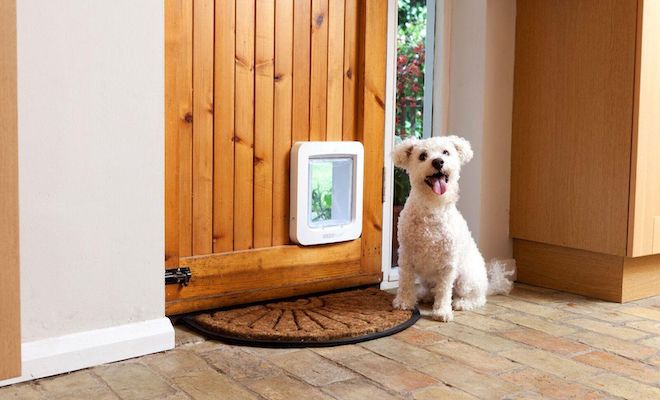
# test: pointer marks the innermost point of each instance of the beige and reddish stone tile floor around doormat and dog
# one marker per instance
(534, 344)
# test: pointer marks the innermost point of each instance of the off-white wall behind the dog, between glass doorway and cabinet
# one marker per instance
(480, 109)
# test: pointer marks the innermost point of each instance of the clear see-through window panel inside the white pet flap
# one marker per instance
(330, 191)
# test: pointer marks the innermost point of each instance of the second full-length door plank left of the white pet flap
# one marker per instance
(263, 123)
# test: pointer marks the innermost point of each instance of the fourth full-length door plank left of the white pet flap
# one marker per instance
(223, 143)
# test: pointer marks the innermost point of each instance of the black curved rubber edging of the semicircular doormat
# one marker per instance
(288, 344)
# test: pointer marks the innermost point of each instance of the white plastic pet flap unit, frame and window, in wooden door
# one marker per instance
(326, 192)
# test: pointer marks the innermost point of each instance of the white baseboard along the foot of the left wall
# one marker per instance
(76, 351)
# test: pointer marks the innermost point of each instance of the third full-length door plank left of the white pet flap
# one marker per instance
(244, 140)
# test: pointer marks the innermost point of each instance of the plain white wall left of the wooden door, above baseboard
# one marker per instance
(90, 105)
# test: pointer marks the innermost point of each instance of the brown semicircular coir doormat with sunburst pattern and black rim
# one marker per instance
(313, 321)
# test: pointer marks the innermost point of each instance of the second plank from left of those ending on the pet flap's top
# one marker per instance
(319, 71)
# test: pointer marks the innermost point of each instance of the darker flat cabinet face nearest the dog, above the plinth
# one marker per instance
(572, 122)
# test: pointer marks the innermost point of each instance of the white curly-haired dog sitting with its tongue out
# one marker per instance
(435, 243)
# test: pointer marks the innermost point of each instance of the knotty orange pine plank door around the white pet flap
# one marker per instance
(243, 81)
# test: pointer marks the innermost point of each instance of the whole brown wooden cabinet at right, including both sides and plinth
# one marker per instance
(585, 198)
